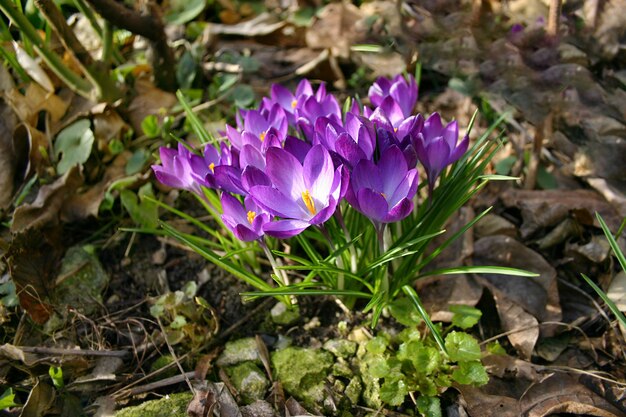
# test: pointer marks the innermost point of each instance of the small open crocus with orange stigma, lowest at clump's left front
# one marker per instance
(247, 221)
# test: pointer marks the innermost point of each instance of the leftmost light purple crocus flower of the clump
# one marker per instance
(178, 168)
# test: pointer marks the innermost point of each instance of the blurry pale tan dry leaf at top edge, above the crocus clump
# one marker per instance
(336, 29)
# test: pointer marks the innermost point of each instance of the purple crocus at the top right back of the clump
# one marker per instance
(401, 90)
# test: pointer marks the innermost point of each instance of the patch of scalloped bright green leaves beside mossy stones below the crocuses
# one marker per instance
(412, 363)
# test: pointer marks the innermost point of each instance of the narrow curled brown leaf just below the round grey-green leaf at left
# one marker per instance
(47, 207)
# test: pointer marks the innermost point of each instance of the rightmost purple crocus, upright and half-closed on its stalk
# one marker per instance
(437, 146)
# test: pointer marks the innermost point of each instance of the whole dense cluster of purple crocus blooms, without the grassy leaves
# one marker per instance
(297, 159)
